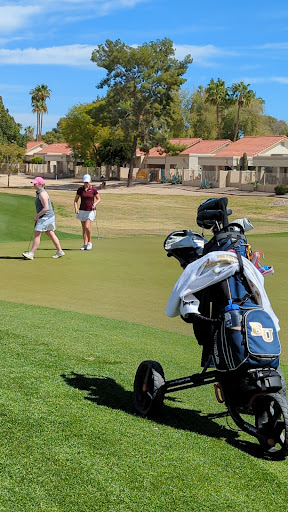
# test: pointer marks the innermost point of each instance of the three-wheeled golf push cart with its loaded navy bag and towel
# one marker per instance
(221, 293)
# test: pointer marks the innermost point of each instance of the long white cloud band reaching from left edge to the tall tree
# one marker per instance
(73, 55)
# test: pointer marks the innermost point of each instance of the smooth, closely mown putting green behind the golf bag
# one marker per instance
(126, 278)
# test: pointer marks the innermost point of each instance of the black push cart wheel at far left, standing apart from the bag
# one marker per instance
(149, 389)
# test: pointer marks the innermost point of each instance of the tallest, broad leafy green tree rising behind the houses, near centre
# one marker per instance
(141, 82)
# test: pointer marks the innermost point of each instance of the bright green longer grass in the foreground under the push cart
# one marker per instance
(70, 441)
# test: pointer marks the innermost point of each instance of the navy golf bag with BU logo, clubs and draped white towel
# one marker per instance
(253, 341)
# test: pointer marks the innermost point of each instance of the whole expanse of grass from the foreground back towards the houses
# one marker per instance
(70, 441)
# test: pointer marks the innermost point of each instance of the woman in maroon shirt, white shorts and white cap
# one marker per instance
(87, 213)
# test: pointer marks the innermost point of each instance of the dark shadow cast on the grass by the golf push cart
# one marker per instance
(106, 391)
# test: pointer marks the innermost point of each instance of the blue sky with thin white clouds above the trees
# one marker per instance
(51, 42)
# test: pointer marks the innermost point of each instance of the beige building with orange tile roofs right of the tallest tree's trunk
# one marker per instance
(267, 157)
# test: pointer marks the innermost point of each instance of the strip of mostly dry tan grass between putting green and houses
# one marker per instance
(122, 215)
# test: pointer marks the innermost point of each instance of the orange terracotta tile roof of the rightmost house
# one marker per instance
(250, 145)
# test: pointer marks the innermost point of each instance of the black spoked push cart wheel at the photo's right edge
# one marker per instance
(271, 419)
